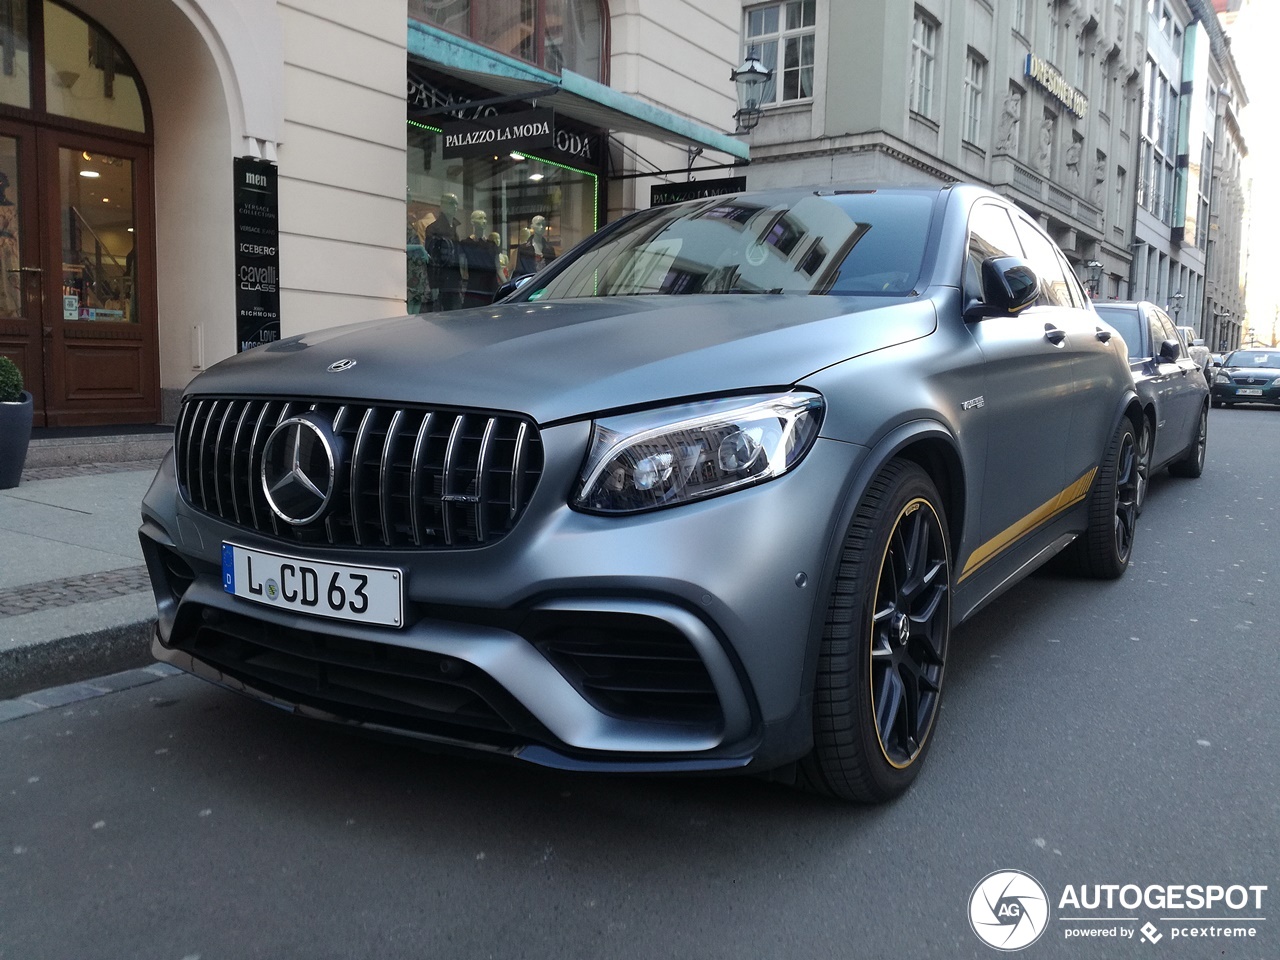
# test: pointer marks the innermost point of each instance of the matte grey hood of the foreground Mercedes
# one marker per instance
(566, 359)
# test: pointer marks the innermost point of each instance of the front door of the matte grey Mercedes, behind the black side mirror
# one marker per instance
(1027, 386)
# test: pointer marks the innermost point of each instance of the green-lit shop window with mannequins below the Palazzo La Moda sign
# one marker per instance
(476, 223)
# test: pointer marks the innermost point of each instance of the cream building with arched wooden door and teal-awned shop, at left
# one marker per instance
(182, 180)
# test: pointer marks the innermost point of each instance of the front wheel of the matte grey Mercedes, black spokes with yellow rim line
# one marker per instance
(885, 643)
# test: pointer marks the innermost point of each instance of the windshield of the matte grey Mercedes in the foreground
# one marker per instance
(844, 245)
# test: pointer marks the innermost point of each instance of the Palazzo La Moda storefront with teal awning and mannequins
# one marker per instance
(509, 164)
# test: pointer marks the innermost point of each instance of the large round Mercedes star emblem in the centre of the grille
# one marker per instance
(299, 470)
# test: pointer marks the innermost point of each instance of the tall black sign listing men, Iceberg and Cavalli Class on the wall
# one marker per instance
(258, 254)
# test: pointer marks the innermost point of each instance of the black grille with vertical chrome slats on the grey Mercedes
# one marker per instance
(408, 477)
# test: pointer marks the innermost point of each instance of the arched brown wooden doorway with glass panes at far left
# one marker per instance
(77, 266)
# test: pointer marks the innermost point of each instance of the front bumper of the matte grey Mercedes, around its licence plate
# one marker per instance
(683, 639)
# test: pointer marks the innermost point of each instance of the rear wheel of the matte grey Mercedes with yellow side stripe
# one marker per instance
(1107, 546)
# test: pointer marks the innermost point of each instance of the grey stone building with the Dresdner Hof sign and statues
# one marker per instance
(1037, 102)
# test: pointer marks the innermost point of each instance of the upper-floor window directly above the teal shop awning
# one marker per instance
(557, 35)
